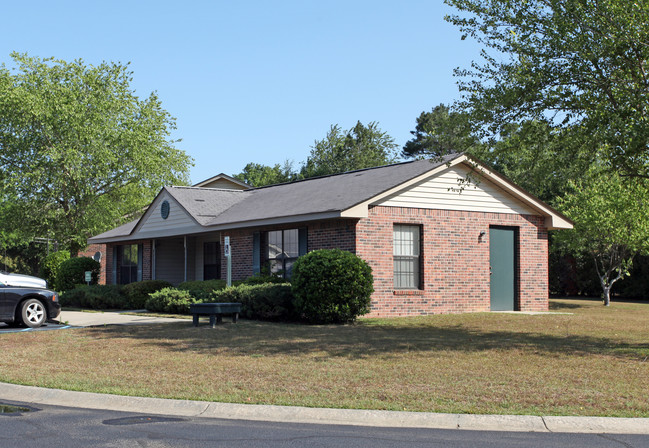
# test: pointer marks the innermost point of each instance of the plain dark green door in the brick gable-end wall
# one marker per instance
(502, 261)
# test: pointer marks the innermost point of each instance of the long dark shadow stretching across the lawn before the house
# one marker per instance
(252, 338)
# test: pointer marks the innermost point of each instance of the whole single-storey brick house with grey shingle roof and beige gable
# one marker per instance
(441, 237)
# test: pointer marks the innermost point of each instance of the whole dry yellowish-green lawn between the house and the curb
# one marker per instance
(592, 362)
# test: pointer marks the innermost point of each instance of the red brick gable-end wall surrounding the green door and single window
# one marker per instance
(454, 260)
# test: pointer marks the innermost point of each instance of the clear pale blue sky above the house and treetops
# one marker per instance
(259, 81)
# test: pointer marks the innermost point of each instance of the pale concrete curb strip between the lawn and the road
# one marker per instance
(294, 414)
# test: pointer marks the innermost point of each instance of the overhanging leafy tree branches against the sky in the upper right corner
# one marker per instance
(579, 66)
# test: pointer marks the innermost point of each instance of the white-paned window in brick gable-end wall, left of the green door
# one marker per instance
(406, 255)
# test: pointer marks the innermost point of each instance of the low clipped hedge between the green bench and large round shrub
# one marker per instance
(267, 301)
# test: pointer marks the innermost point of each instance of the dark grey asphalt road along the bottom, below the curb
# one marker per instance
(65, 427)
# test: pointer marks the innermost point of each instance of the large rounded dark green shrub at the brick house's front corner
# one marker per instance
(331, 286)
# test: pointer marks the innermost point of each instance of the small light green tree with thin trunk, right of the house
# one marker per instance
(611, 226)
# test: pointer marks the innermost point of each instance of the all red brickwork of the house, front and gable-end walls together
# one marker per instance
(454, 258)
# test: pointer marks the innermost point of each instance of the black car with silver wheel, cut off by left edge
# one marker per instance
(27, 305)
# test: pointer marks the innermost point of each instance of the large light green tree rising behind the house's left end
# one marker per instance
(79, 151)
